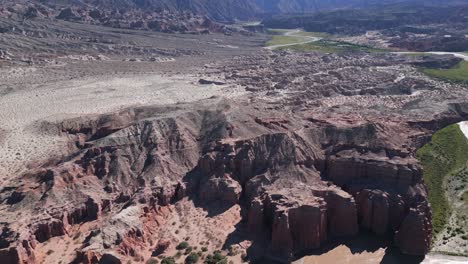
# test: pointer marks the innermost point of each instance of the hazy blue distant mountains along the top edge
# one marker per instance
(229, 10)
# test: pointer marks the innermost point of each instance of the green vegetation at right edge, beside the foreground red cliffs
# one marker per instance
(444, 155)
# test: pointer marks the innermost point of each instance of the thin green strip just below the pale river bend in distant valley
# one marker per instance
(330, 46)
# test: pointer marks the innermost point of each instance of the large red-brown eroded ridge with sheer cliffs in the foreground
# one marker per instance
(301, 181)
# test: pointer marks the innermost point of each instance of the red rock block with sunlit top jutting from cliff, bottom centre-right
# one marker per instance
(302, 219)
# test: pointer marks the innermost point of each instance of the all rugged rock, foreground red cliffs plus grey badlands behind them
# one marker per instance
(316, 152)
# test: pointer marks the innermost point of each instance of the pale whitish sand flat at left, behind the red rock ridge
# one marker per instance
(56, 101)
